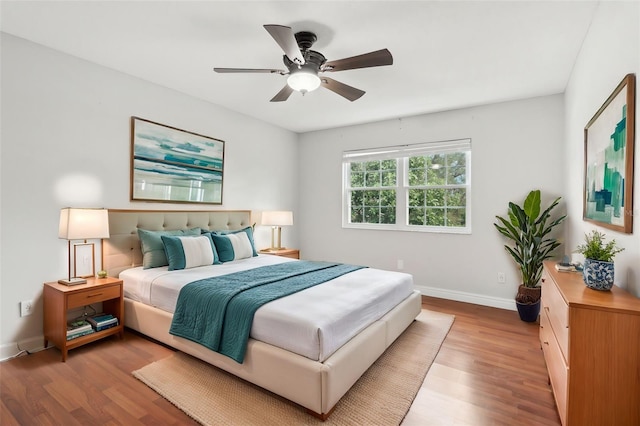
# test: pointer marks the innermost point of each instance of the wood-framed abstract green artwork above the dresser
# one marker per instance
(608, 161)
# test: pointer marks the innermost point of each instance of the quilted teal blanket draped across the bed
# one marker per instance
(218, 312)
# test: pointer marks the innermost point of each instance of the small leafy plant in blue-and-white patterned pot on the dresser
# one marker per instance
(598, 268)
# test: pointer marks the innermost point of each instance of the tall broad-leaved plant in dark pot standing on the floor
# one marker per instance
(528, 228)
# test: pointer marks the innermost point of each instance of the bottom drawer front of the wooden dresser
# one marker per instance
(558, 369)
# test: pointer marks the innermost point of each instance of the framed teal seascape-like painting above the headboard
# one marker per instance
(173, 165)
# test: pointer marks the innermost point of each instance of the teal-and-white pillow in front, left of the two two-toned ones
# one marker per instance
(189, 252)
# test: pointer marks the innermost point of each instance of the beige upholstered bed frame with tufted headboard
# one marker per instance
(317, 386)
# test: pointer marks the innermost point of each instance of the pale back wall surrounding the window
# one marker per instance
(516, 147)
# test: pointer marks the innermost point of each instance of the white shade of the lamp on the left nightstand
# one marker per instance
(83, 224)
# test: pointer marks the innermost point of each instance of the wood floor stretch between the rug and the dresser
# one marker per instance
(490, 371)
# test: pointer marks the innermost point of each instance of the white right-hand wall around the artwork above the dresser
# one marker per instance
(610, 51)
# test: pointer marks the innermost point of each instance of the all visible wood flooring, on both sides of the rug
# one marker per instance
(489, 371)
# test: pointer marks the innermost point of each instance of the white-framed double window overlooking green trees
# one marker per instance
(421, 187)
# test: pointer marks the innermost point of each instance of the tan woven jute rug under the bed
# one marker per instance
(382, 396)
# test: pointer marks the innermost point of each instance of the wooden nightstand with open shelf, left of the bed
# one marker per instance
(59, 298)
